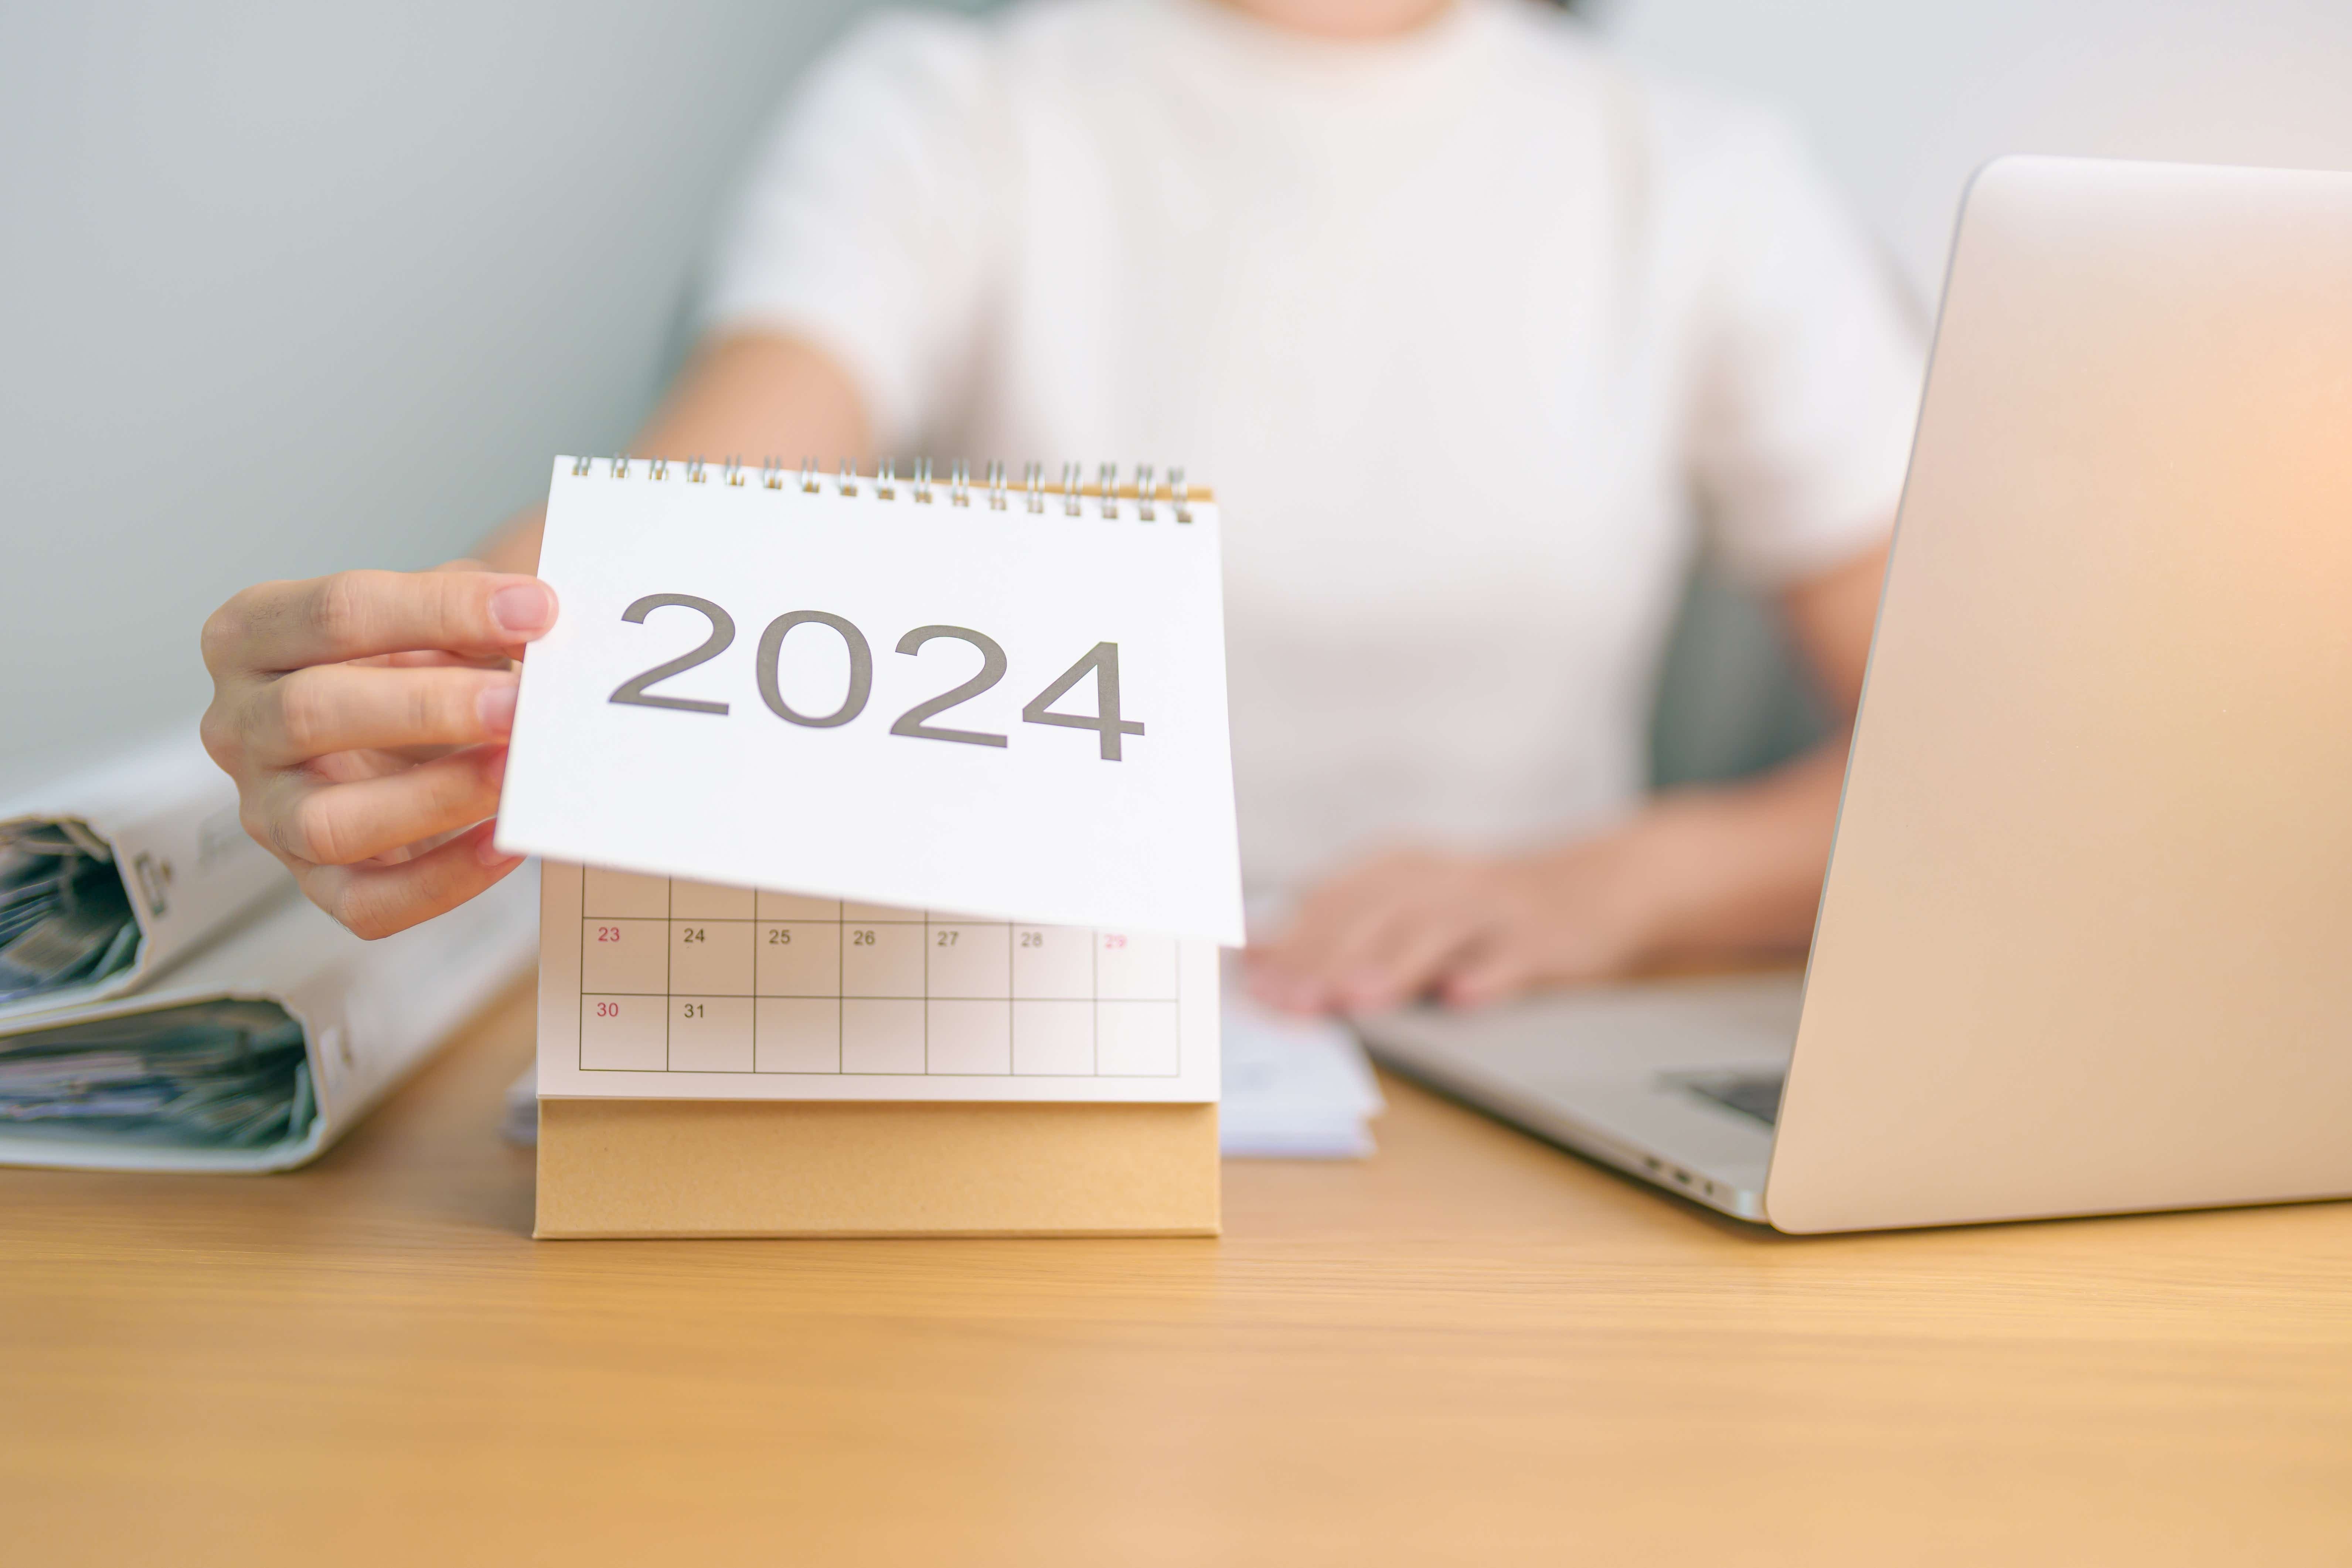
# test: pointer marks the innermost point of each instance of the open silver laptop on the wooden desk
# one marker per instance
(2085, 942)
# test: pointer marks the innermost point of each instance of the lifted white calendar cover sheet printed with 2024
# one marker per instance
(735, 770)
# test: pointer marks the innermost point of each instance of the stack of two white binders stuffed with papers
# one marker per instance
(171, 1003)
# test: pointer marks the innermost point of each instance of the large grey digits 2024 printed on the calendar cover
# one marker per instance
(1102, 662)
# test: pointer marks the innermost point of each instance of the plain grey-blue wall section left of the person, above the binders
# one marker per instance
(290, 288)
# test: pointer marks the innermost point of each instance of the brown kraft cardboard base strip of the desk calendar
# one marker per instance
(876, 1170)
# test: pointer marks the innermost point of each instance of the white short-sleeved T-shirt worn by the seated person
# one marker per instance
(1469, 330)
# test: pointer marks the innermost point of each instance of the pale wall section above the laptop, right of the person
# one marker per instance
(1906, 98)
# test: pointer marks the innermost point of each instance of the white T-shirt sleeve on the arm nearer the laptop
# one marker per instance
(1810, 370)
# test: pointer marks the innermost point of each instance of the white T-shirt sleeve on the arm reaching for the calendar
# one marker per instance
(864, 225)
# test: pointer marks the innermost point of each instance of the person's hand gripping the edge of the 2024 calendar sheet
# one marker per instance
(366, 721)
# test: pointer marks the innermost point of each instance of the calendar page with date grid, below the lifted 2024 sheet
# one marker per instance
(686, 991)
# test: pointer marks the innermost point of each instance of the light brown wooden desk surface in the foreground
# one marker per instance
(1471, 1348)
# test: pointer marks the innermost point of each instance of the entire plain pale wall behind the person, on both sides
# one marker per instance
(288, 288)
